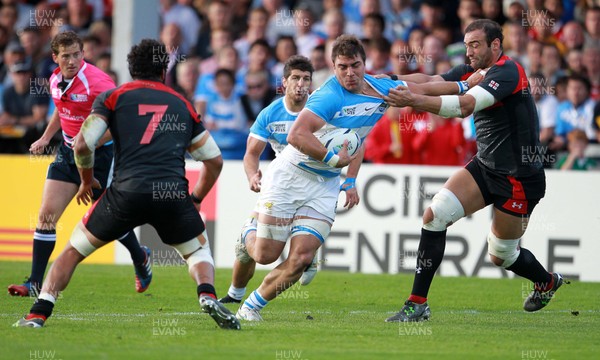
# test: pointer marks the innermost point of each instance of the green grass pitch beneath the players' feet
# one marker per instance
(101, 317)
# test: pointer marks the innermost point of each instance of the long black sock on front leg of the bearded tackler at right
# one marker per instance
(429, 258)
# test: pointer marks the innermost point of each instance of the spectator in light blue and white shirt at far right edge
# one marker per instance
(575, 113)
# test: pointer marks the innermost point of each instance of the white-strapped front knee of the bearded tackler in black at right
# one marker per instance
(445, 210)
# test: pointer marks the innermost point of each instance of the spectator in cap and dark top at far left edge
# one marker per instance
(25, 105)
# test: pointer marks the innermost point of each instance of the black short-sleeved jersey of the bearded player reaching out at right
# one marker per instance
(507, 133)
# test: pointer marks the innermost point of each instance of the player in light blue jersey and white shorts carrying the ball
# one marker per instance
(300, 189)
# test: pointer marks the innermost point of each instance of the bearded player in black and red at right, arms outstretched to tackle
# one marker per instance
(504, 172)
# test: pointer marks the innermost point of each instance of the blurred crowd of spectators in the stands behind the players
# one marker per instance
(227, 57)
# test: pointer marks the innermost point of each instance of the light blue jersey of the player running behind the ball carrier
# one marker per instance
(273, 125)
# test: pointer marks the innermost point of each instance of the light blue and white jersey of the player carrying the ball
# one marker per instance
(340, 108)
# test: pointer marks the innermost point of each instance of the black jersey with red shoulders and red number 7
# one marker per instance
(152, 127)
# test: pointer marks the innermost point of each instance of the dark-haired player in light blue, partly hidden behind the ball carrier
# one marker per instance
(271, 126)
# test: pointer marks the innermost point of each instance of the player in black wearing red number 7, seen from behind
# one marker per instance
(152, 127)
